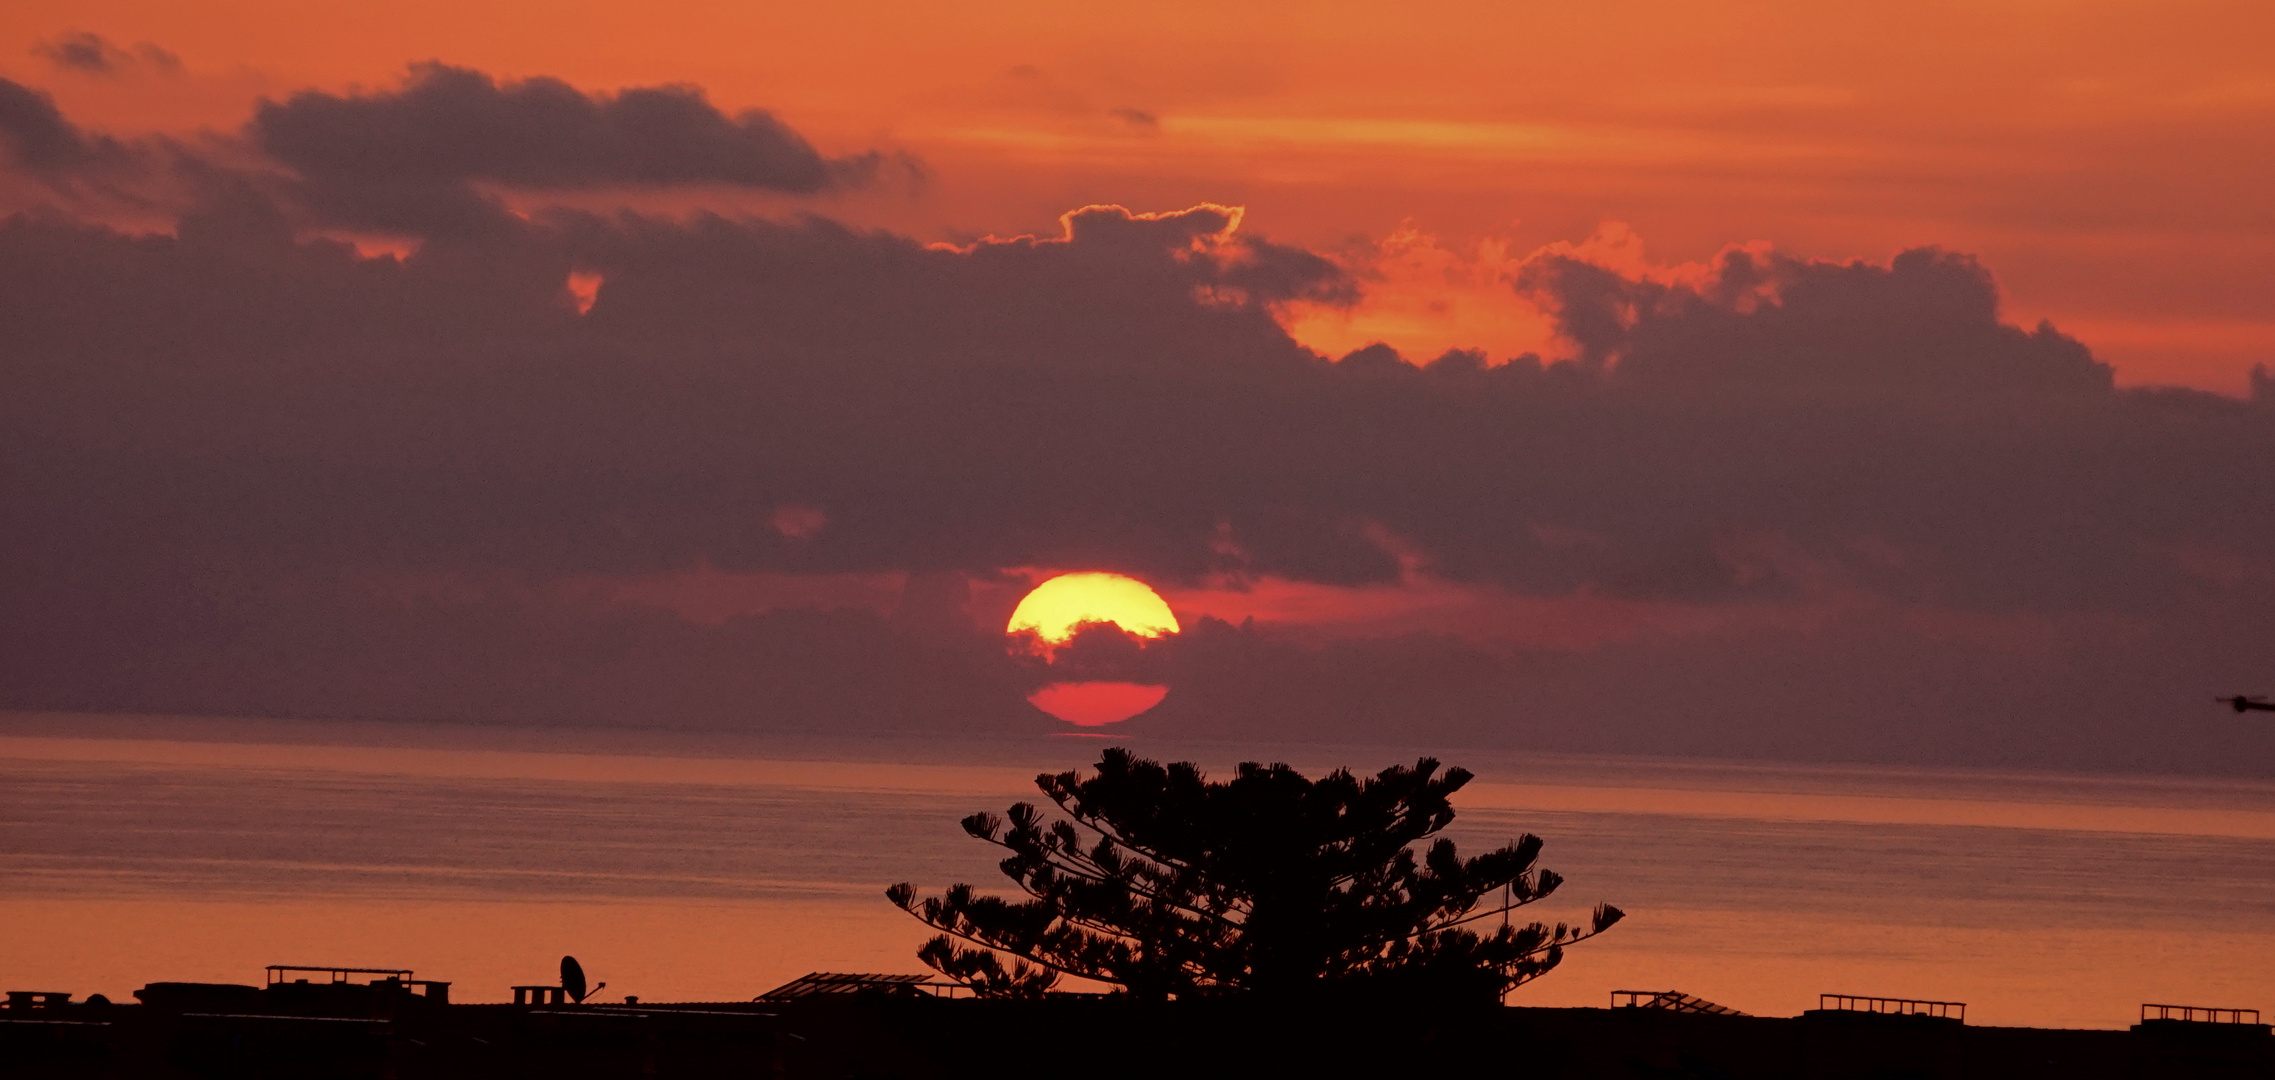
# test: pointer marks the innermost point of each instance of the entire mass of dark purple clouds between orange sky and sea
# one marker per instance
(1903, 529)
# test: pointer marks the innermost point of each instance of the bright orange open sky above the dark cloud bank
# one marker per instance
(2108, 160)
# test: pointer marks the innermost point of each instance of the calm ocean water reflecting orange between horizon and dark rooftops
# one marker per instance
(688, 867)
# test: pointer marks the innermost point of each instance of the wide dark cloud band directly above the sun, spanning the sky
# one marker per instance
(1123, 394)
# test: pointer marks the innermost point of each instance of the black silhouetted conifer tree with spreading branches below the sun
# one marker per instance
(1166, 883)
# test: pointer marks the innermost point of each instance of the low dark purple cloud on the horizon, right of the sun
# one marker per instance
(1873, 683)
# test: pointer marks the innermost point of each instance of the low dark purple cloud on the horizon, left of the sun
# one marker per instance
(513, 656)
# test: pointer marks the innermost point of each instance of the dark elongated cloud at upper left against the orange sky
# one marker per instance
(411, 158)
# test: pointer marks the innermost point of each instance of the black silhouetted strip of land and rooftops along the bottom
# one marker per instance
(1075, 1038)
